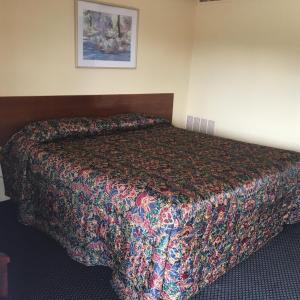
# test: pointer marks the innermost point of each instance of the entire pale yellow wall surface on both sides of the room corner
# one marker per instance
(245, 70)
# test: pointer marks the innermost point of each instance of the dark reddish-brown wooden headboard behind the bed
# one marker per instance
(15, 112)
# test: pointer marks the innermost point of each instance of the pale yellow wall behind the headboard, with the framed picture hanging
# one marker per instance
(37, 52)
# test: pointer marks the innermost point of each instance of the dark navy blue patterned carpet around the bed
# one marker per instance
(41, 269)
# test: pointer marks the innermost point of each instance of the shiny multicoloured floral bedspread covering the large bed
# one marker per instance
(168, 210)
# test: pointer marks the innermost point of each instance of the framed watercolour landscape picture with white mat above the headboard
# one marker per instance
(106, 35)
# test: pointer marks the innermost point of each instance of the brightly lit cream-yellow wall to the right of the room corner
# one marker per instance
(245, 70)
